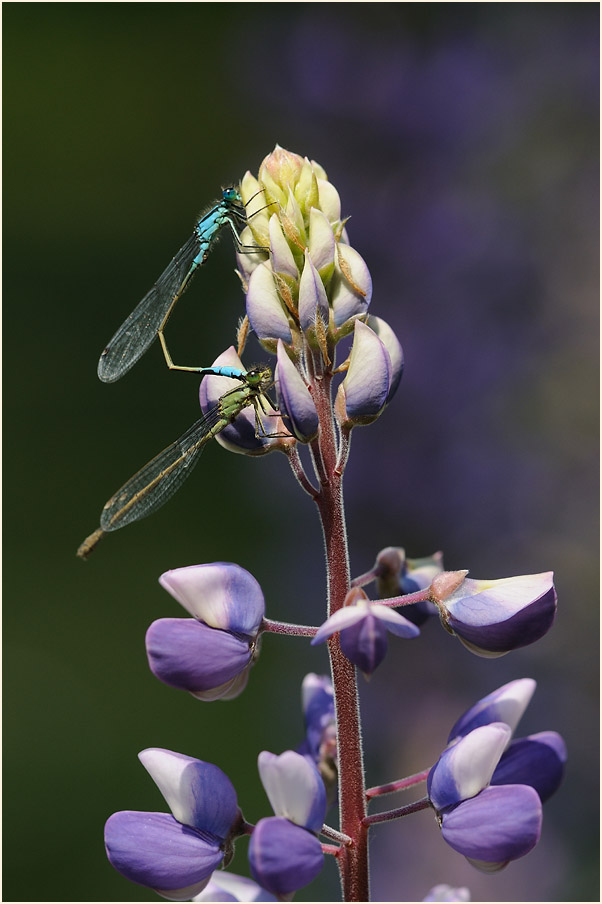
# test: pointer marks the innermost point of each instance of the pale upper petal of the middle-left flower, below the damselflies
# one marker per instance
(221, 594)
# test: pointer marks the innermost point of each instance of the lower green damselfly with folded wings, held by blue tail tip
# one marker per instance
(158, 480)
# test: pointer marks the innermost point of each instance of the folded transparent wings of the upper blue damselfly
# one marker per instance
(139, 330)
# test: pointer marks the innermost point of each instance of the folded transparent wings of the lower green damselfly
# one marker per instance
(158, 480)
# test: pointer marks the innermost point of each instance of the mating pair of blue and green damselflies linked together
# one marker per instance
(158, 480)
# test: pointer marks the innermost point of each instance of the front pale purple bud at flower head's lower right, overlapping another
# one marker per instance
(364, 392)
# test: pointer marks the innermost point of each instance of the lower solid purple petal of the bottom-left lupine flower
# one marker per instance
(155, 850)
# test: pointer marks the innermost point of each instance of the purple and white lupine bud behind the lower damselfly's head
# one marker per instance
(241, 434)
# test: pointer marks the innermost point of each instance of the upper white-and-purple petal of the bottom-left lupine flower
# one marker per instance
(199, 794)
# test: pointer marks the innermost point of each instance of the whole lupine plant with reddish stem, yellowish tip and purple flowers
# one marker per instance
(337, 367)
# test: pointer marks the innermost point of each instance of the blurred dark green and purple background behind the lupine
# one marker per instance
(463, 140)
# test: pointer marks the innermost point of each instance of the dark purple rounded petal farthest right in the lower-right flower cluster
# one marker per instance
(538, 760)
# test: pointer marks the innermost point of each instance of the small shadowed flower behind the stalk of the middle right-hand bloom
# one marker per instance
(395, 575)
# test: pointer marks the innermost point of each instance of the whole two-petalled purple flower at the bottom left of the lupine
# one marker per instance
(175, 855)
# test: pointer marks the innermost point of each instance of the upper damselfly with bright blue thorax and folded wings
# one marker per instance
(149, 318)
